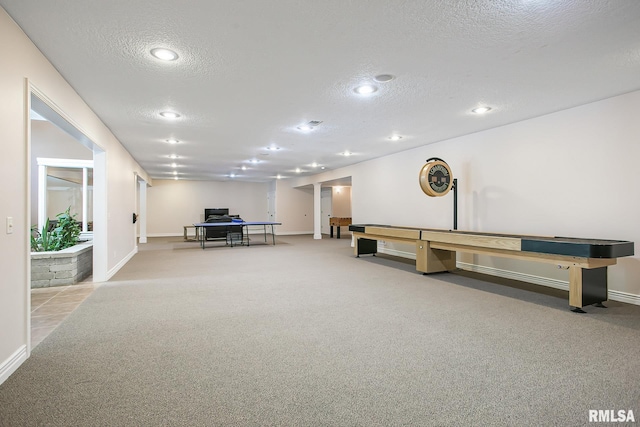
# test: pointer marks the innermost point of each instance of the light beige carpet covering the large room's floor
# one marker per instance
(304, 334)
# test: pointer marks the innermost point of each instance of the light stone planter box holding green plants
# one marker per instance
(66, 267)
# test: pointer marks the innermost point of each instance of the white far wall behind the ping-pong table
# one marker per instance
(172, 204)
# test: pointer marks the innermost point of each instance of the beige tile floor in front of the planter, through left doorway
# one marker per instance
(50, 306)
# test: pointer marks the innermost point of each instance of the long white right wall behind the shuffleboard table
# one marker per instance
(571, 173)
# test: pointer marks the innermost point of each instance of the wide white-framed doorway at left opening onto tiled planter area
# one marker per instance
(52, 135)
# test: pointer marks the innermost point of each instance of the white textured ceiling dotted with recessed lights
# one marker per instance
(251, 71)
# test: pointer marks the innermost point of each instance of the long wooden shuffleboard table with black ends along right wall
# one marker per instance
(586, 259)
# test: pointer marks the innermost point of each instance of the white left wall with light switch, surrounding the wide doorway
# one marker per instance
(24, 65)
